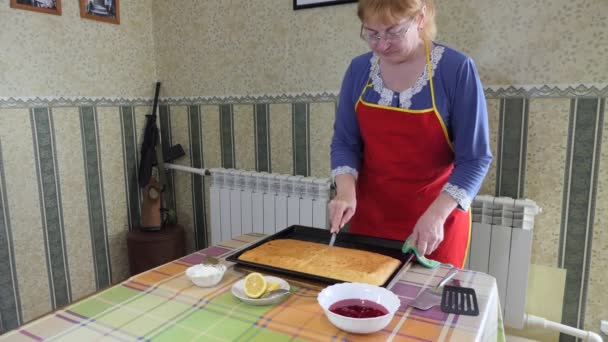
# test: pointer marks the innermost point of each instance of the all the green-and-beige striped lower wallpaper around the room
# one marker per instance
(69, 194)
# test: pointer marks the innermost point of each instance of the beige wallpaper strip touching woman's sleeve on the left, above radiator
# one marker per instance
(321, 130)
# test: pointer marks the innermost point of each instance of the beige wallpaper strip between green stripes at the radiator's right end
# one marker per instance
(545, 163)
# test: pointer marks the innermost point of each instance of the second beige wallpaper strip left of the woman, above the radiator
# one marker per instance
(281, 139)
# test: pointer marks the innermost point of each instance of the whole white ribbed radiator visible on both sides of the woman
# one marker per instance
(501, 242)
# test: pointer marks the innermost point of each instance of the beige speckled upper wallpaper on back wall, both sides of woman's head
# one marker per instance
(277, 38)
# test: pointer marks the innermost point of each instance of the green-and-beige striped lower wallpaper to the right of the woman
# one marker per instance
(578, 161)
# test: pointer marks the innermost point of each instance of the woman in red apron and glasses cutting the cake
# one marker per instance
(410, 146)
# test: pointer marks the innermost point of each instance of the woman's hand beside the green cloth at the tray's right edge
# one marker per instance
(428, 231)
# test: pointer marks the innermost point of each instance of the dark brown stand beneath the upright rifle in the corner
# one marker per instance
(149, 249)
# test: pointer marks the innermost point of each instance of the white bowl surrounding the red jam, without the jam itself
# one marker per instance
(380, 295)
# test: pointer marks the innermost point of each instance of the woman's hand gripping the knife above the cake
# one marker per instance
(343, 206)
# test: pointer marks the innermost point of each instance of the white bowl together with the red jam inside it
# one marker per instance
(358, 308)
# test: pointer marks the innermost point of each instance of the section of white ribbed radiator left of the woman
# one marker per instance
(260, 202)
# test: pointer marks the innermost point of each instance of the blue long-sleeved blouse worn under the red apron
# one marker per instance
(459, 98)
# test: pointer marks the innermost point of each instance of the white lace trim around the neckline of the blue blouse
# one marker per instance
(405, 97)
